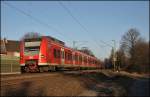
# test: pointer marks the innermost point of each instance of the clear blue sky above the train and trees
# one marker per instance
(104, 20)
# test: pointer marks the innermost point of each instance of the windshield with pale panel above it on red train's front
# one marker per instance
(32, 47)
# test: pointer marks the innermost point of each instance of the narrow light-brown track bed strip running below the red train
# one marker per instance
(44, 74)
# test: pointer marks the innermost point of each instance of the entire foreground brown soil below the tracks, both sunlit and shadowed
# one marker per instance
(73, 84)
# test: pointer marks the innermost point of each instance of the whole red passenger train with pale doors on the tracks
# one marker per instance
(47, 53)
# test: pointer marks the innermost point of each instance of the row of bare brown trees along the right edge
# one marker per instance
(132, 55)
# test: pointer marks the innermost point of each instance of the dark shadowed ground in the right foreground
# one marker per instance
(119, 85)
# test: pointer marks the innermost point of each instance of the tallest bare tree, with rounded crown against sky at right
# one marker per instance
(128, 42)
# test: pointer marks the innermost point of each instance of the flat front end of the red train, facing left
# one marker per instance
(30, 54)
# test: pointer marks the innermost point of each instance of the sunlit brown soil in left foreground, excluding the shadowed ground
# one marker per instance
(58, 85)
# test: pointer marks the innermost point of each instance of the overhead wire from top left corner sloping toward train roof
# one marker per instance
(33, 18)
